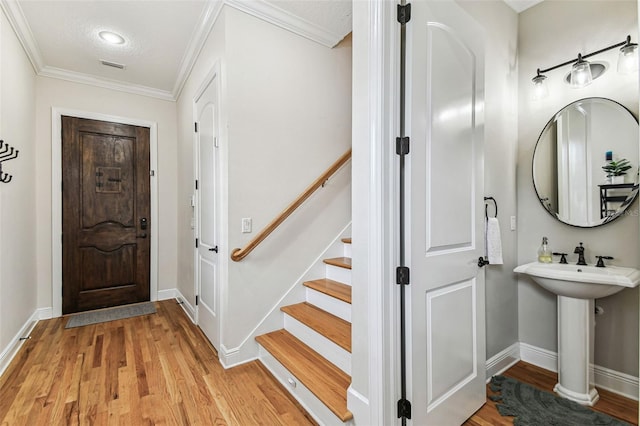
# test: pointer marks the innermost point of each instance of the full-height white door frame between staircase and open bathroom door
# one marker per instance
(375, 389)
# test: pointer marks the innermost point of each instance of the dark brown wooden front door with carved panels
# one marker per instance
(106, 225)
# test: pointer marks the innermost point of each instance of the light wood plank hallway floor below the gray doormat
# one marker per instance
(148, 370)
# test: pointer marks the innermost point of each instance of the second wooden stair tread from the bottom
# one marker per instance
(330, 326)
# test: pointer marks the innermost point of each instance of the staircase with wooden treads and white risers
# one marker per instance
(311, 355)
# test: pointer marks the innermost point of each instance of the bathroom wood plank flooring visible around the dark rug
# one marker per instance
(614, 405)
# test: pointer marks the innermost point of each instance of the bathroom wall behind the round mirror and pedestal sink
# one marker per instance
(550, 33)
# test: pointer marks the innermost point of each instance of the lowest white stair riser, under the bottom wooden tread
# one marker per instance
(308, 400)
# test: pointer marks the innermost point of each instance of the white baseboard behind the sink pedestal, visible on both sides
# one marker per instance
(614, 381)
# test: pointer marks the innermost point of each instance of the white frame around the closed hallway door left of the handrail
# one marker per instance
(223, 252)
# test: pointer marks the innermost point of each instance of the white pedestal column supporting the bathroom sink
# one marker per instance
(576, 327)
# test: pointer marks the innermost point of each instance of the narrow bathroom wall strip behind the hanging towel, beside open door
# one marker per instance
(501, 126)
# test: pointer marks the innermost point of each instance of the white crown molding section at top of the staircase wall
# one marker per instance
(288, 21)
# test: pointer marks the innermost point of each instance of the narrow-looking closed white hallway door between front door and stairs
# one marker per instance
(207, 166)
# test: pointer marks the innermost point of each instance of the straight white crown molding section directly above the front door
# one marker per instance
(77, 77)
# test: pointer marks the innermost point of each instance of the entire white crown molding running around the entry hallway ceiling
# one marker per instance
(258, 8)
